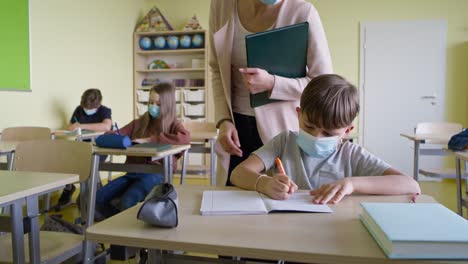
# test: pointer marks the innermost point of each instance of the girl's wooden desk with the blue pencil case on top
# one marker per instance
(152, 153)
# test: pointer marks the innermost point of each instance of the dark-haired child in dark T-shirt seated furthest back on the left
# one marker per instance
(89, 115)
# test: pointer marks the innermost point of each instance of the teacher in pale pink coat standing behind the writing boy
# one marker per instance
(243, 129)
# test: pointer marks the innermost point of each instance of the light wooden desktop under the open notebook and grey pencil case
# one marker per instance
(338, 237)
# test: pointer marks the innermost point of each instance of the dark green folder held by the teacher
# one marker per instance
(281, 51)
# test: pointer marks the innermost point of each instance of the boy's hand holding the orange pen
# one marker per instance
(278, 187)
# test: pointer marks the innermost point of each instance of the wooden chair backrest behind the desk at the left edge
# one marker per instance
(60, 156)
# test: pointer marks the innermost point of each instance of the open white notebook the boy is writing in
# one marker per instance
(250, 202)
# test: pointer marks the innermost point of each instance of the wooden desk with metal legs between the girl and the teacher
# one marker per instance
(204, 136)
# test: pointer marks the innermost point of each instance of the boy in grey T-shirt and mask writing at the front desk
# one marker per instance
(316, 158)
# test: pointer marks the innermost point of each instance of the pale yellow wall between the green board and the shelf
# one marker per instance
(75, 45)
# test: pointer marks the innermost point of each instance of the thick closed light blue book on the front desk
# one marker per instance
(417, 230)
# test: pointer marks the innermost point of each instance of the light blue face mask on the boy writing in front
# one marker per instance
(316, 147)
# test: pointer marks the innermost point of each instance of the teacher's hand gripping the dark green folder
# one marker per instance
(257, 80)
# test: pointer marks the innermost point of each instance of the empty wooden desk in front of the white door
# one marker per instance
(419, 139)
